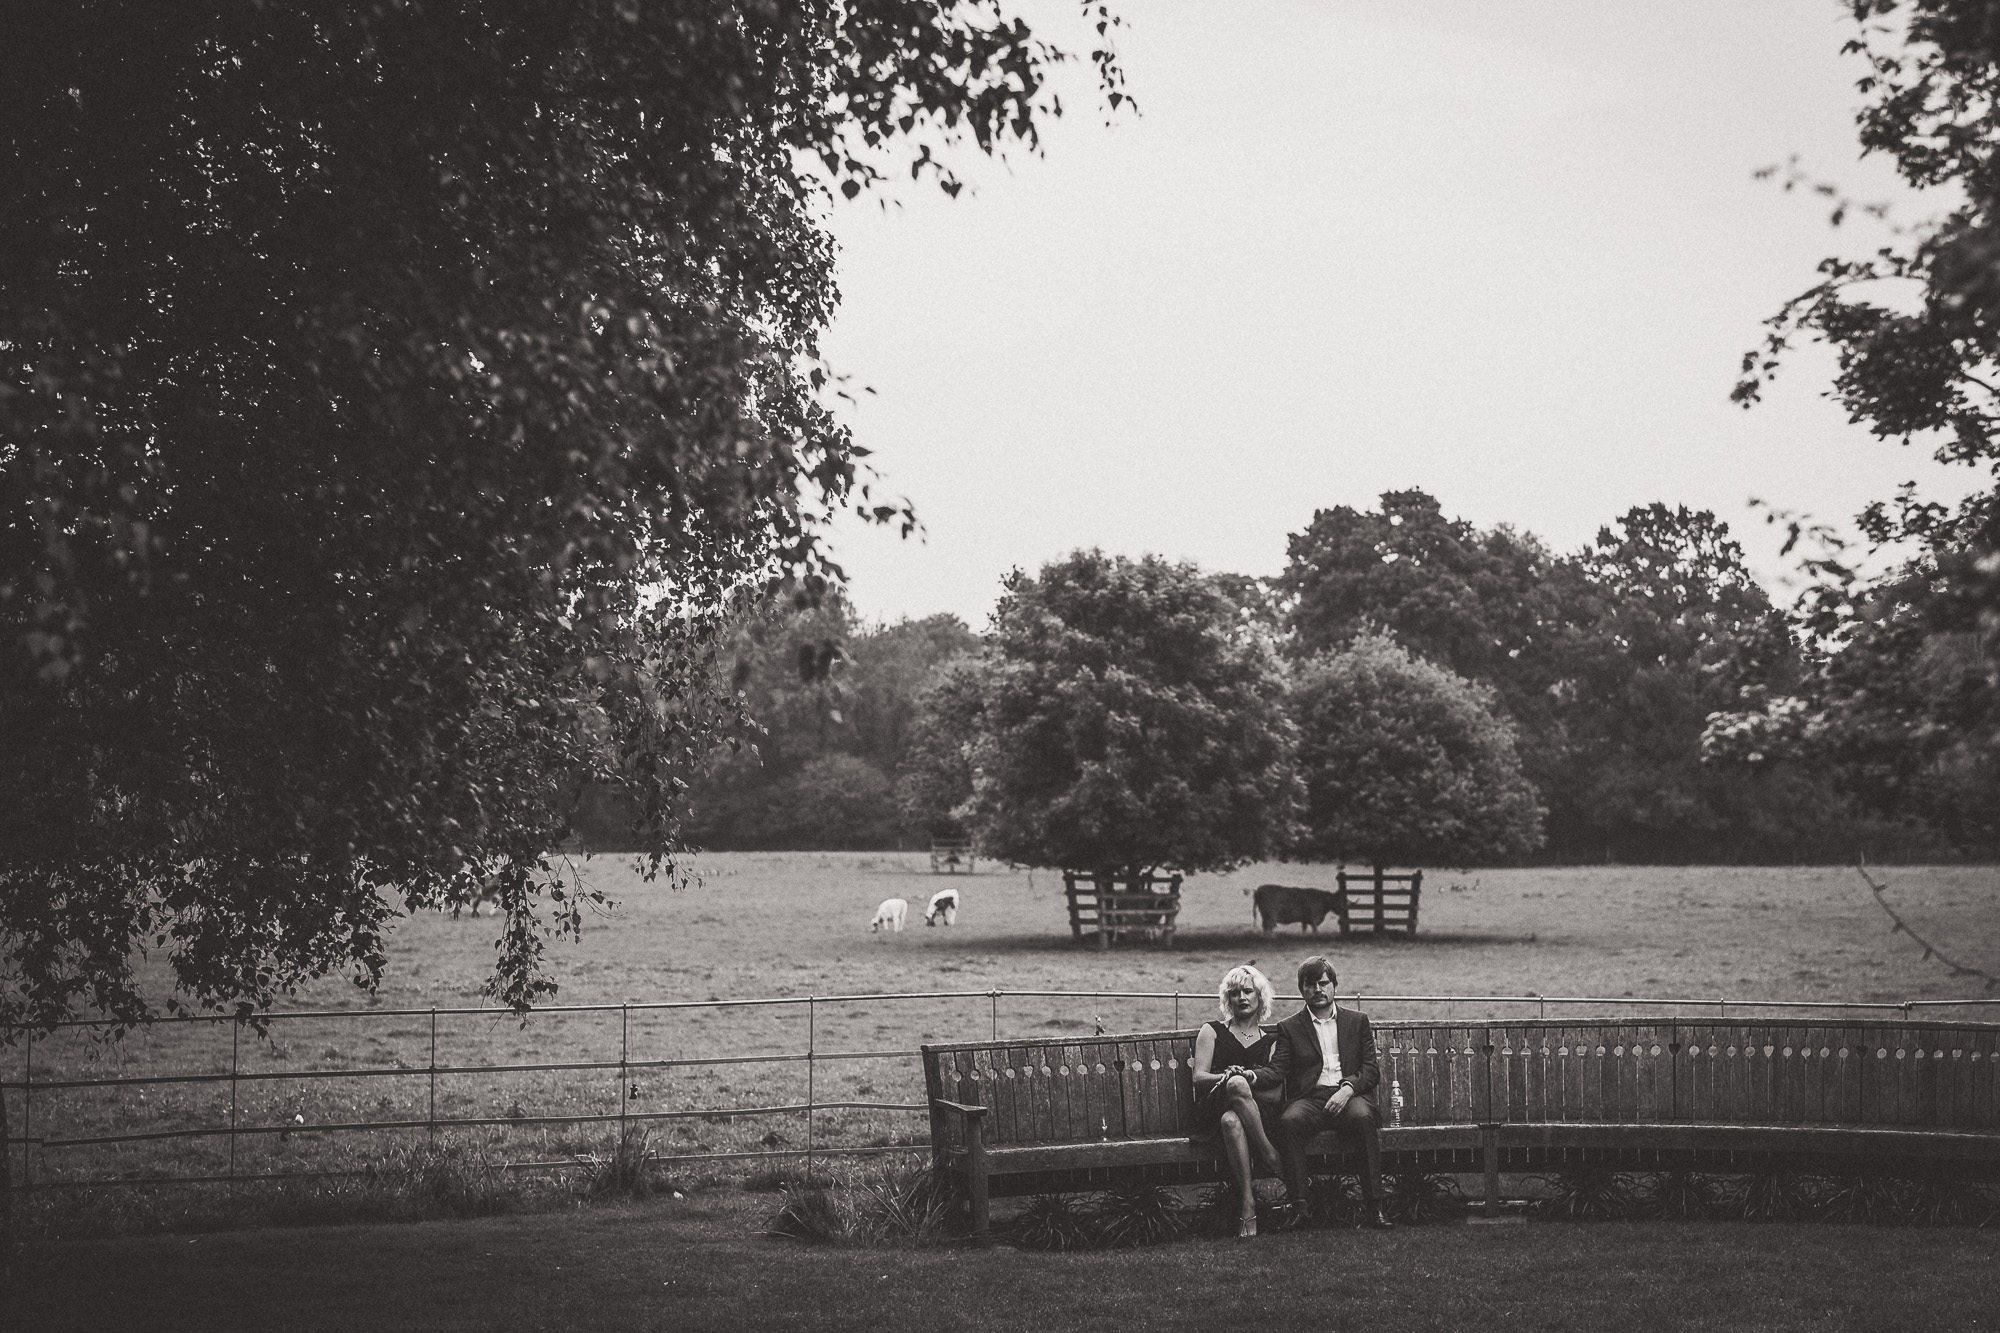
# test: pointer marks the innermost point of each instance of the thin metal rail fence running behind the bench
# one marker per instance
(41, 1138)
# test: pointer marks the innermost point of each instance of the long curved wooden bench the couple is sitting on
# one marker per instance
(1027, 1118)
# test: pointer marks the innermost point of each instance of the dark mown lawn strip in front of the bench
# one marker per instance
(699, 1264)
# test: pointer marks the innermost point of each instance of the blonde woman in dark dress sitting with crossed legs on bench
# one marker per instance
(1231, 1064)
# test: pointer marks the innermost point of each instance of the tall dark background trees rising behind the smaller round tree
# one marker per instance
(1609, 663)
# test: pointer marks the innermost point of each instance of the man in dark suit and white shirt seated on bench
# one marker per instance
(1325, 1056)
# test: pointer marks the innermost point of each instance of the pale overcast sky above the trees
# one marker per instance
(1505, 253)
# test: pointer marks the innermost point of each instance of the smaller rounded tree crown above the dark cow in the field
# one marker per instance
(1405, 764)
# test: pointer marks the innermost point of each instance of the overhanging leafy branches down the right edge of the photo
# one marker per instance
(1911, 696)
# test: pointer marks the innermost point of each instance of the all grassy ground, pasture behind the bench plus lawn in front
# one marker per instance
(795, 926)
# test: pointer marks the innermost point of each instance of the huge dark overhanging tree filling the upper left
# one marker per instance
(393, 395)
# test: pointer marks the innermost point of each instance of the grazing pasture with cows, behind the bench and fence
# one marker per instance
(797, 926)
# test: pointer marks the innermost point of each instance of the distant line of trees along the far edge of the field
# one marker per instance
(1641, 678)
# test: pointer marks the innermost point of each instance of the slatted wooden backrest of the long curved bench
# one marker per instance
(1139, 1086)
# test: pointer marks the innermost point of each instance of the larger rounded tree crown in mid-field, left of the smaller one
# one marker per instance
(1131, 720)
